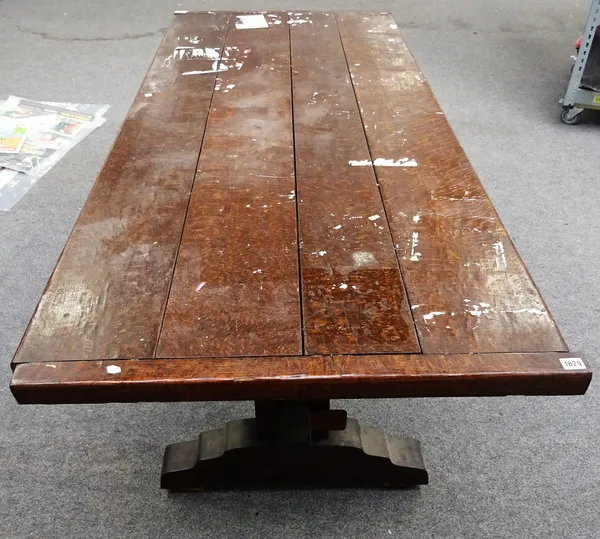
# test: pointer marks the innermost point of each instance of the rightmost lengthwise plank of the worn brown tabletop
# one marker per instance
(469, 290)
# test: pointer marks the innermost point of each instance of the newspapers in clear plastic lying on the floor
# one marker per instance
(50, 131)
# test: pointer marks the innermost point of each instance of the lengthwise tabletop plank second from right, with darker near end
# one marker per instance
(352, 292)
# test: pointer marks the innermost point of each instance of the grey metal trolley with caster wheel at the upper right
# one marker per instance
(580, 94)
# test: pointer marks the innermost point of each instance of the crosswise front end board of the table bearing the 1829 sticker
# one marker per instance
(307, 377)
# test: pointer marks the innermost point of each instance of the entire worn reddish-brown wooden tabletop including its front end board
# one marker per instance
(160, 295)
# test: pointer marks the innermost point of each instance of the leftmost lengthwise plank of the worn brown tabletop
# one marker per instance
(107, 295)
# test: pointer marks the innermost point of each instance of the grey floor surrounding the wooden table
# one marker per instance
(506, 467)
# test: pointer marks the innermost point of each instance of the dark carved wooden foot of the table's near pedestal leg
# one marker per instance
(234, 456)
